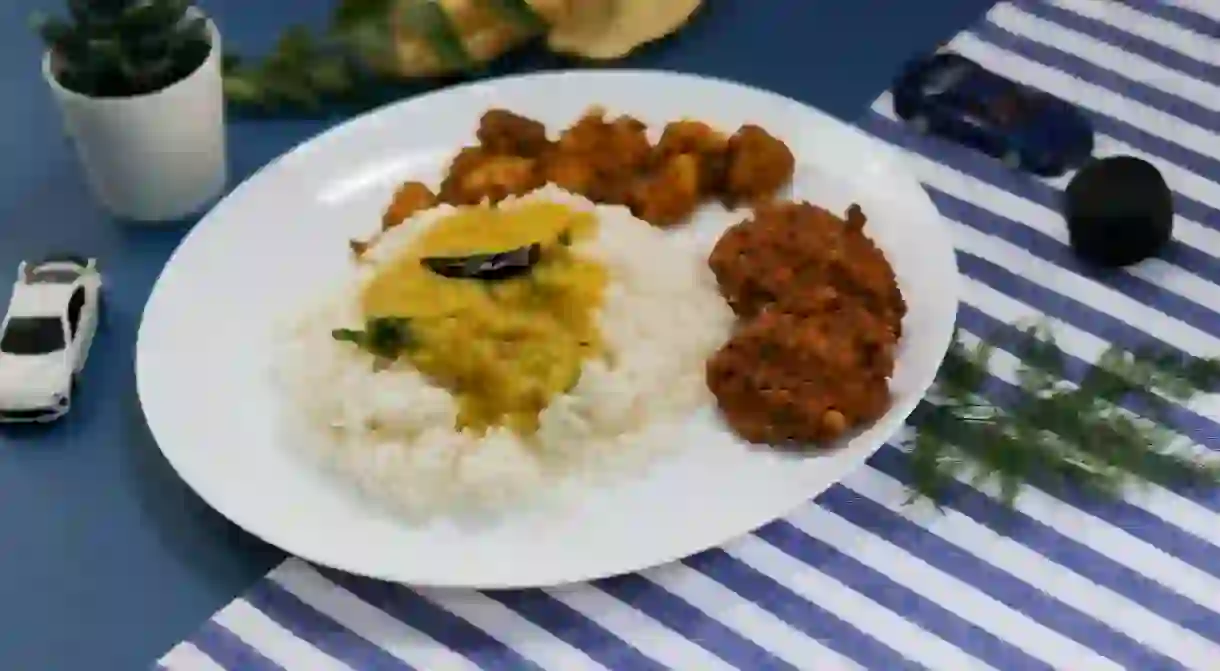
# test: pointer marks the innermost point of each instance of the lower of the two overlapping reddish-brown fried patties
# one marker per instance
(788, 379)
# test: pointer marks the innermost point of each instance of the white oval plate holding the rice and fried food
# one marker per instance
(280, 239)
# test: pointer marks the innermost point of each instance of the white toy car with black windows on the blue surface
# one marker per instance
(46, 337)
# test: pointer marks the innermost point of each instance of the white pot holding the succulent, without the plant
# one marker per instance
(158, 157)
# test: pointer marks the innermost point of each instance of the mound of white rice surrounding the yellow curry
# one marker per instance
(663, 318)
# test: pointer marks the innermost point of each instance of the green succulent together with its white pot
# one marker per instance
(140, 87)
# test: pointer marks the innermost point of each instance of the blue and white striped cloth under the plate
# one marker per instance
(857, 580)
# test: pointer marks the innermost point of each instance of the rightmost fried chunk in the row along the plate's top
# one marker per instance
(758, 167)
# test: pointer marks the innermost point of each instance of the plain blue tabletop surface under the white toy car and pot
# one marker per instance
(108, 558)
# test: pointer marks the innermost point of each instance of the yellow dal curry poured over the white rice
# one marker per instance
(503, 348)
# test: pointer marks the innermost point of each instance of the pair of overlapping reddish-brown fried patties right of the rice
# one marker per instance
(822, 317)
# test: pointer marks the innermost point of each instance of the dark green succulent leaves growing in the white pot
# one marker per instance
(125, 48)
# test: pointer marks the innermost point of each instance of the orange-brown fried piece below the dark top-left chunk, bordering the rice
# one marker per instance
(476, 175)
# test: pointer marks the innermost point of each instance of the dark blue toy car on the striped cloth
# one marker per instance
(950, 96)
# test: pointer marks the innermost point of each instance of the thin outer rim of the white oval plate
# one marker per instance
(891, 156)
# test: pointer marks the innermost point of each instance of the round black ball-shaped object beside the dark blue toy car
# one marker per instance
(1119, 212)
